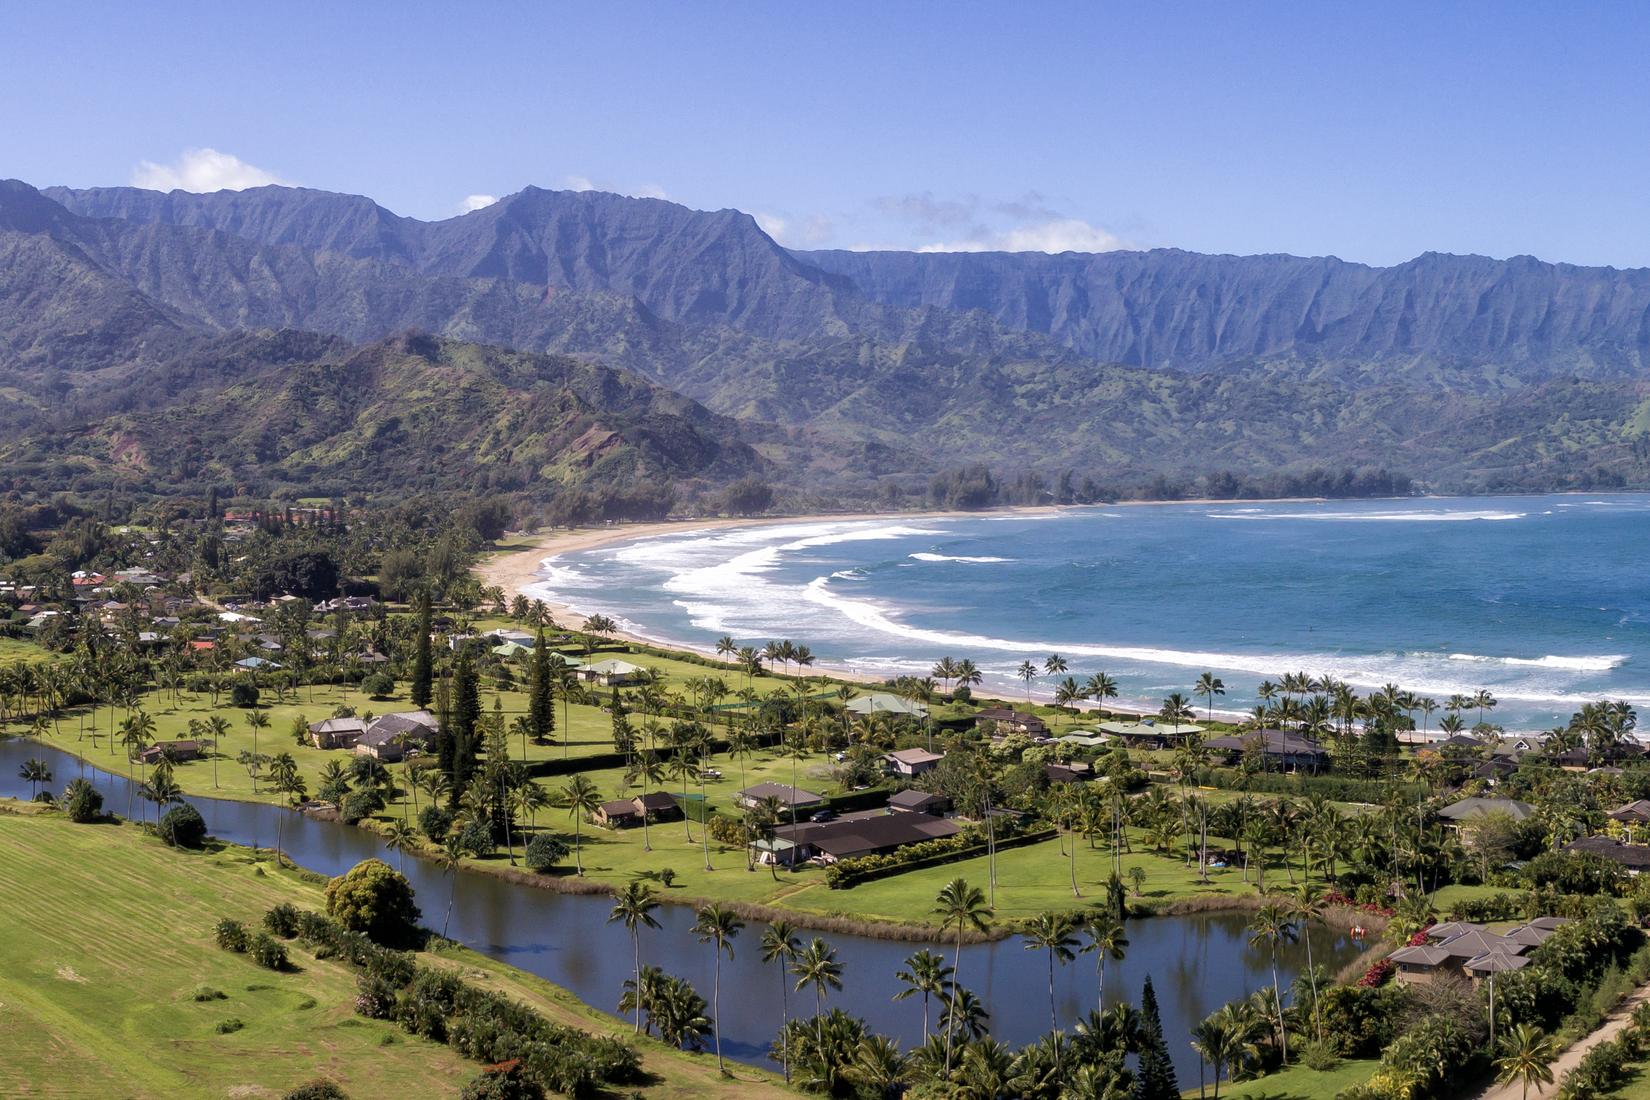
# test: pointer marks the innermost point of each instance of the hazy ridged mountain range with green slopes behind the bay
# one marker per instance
(813, 369)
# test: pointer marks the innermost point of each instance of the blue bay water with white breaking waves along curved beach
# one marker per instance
(1544, 601)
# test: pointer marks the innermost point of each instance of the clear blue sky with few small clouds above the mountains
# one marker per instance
(1372, 133)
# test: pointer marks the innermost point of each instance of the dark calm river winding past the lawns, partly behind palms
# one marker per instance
(1197, 962)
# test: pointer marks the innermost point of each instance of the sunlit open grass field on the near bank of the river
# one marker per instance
(108, 934)
